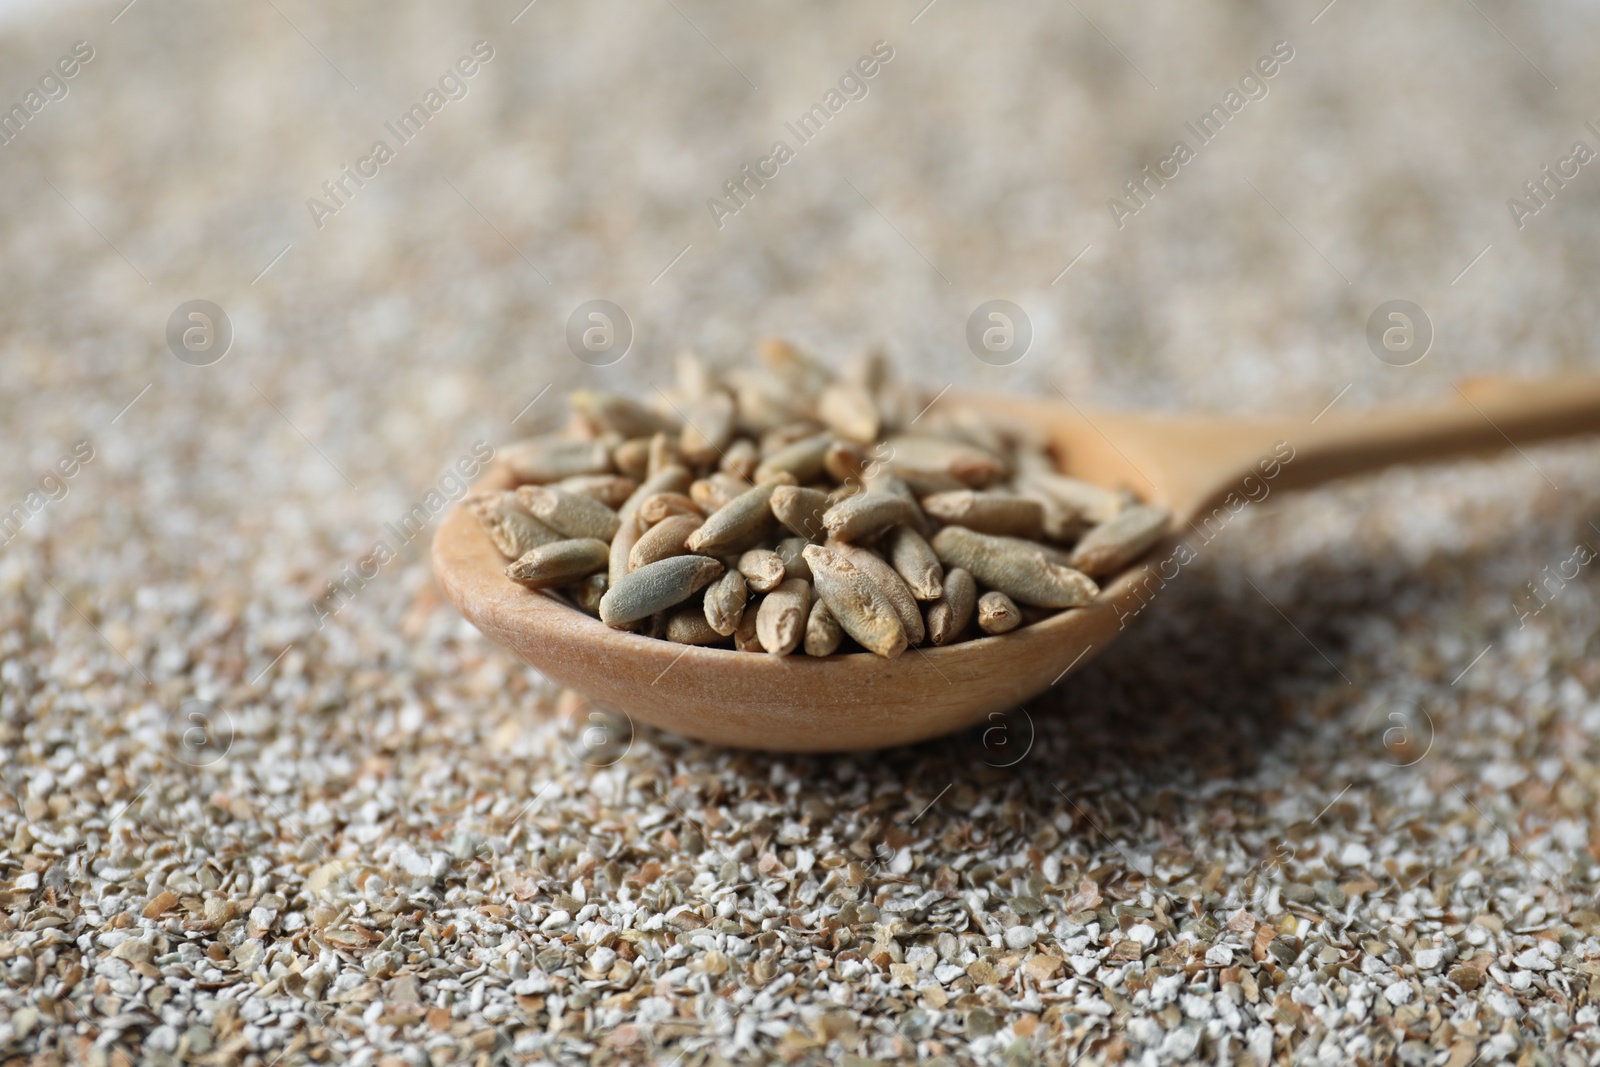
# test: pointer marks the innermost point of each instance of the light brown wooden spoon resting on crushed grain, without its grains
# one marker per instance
(1193, 465)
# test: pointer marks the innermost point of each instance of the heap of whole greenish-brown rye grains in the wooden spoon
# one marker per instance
(785, 510)
